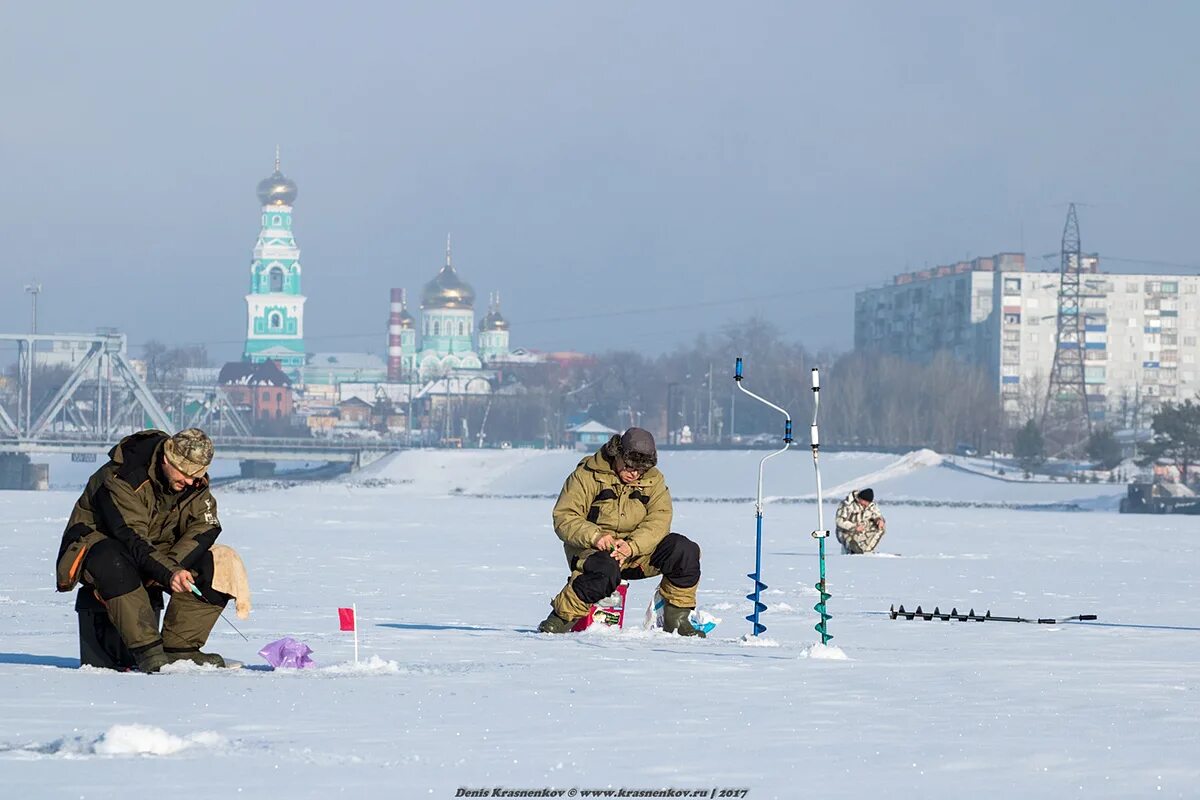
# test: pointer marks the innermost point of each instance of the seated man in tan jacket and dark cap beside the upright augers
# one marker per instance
(614, 516)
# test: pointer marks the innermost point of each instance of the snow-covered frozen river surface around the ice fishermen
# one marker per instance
(452, 562)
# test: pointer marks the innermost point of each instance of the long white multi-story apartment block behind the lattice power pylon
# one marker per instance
(1141, 332)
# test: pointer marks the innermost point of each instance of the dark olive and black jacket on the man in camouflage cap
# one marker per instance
(130, 501)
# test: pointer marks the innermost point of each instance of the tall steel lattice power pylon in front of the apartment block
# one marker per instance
(1066, 422)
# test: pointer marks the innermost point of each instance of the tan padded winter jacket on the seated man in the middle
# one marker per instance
(595, 503)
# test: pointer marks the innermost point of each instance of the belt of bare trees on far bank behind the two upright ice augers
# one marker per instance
(867, 400)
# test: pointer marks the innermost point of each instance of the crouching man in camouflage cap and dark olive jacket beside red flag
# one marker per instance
(146, 524)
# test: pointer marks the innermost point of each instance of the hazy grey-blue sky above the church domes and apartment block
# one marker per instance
(626, 176)
